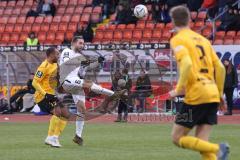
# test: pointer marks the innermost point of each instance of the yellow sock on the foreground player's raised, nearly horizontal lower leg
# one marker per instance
(197, 144)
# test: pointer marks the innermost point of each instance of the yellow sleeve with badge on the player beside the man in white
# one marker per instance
(39, 76)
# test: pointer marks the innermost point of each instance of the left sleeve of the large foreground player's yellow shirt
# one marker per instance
(184, 63)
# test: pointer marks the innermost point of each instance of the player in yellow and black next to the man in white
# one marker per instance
(45, 82)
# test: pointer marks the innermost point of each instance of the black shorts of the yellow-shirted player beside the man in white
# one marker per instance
(48, 107)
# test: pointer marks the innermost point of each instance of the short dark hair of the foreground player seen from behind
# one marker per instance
(180, 16)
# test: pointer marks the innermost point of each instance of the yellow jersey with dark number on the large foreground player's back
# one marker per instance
(200, 86)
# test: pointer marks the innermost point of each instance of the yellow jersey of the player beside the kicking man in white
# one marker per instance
(46, 77)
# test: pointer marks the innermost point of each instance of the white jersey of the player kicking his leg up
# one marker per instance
(70, 64)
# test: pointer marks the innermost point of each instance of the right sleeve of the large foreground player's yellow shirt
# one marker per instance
(219, 72)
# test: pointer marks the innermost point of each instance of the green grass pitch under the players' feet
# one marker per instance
(24, 141)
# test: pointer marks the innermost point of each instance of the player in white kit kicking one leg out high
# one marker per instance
(73, 67)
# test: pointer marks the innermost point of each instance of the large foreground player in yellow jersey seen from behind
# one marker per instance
(201, 79)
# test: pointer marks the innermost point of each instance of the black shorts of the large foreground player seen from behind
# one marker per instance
(192, 115)
